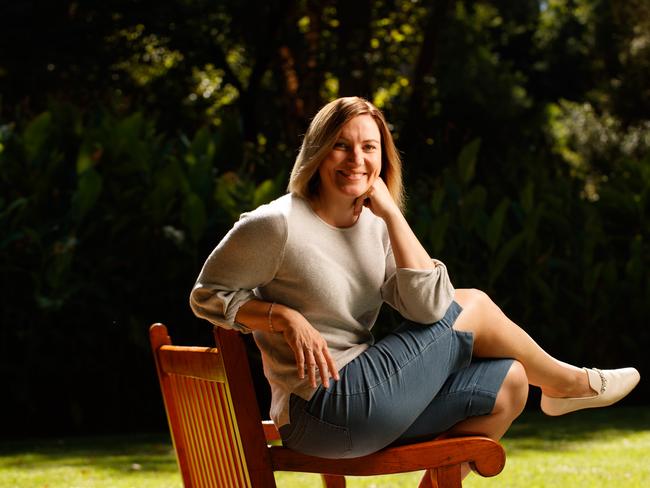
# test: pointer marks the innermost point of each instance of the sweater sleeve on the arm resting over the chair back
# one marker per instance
(246, 258)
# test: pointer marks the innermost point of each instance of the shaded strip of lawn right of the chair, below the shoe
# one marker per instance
(559, 433)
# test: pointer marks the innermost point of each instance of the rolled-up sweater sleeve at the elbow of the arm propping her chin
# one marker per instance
(419, 295)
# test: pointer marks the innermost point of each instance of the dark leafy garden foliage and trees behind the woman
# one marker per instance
(134, 132)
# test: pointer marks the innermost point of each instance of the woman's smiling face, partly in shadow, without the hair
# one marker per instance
(354, 163)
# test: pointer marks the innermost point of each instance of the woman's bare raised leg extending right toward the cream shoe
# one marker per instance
(495, 335)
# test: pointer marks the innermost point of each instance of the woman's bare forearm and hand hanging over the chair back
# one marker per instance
(307, 344)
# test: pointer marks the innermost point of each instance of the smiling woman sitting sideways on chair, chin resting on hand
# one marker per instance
(307, 275)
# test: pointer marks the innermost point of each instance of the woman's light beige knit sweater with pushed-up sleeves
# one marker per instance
(337, 278)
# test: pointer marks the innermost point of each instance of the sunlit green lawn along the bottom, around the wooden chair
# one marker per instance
(598, 448)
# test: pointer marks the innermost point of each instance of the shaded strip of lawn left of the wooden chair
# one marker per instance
(126, 453)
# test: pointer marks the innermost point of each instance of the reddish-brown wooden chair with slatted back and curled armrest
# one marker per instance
(221, 441)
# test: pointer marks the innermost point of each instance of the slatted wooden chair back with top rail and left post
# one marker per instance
(200, 413)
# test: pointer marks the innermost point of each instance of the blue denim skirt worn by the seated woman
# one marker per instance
(414, 384)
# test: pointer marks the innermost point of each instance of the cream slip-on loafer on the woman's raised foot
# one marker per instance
(610, 386)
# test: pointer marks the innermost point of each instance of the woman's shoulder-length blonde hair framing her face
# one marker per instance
(321, 136)
